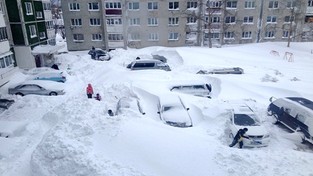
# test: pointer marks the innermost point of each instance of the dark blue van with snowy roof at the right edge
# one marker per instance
(296, 113)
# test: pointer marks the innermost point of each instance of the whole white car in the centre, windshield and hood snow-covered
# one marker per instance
(173, 111)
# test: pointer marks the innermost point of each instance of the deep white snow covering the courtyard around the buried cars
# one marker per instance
(73, 135)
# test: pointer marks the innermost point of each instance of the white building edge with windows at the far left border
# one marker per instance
(6, 56)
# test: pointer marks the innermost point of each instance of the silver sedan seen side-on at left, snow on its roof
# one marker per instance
(37, 87)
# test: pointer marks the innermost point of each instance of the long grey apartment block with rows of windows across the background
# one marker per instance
(137, 24)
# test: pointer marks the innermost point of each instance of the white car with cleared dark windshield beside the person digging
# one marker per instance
(242, 116)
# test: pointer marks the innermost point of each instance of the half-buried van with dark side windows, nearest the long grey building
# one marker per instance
(148, 64)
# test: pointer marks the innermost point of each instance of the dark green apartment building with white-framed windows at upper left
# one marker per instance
(30, 23)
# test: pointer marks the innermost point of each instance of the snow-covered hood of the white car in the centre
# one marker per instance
(176, 115)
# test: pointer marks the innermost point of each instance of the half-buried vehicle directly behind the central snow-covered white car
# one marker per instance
(196, 89)
